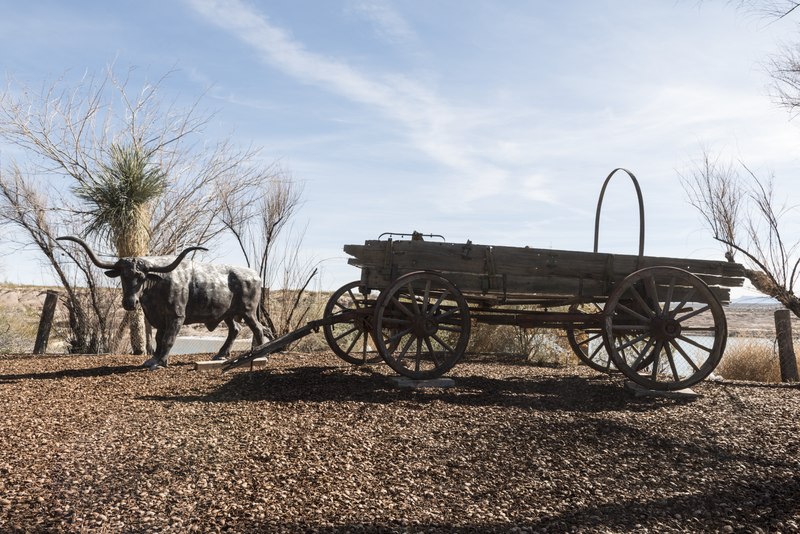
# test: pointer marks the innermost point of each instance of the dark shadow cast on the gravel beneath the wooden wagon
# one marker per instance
(325, 384)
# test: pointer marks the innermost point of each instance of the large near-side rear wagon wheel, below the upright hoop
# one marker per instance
(664, 328)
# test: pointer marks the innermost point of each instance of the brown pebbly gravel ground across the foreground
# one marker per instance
(97, 444)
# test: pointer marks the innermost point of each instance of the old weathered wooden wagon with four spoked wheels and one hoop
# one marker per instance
(659, 321)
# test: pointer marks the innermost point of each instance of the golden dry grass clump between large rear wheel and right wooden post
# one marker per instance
(753, 359)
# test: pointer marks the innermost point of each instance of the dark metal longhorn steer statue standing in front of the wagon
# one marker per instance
(173, 293)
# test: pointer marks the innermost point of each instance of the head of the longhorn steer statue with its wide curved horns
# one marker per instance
(133, 272)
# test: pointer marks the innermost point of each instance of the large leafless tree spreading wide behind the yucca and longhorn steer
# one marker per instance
(67, 134)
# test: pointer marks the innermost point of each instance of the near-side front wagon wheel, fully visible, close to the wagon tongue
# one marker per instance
(422, 325)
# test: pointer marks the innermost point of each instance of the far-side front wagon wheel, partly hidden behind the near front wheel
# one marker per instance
(351, 339)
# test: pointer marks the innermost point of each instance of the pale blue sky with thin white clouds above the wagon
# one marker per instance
(483, 120)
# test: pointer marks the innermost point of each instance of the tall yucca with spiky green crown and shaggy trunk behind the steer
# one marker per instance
(119, 200)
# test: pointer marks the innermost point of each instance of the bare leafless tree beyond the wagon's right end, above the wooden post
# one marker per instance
(741, 211)
